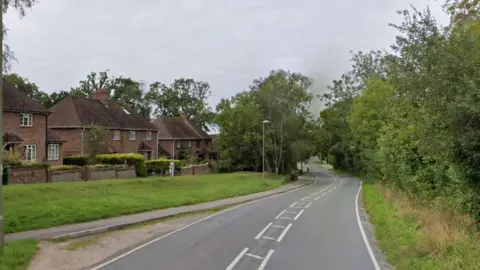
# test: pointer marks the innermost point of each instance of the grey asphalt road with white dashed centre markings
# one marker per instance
(315, 227)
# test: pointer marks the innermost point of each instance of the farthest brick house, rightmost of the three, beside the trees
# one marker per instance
(175, 133)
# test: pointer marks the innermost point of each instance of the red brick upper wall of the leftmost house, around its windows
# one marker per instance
(35, 134)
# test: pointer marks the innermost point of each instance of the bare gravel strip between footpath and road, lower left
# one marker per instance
(80, 253)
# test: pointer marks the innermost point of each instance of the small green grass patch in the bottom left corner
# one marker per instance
(17, 255)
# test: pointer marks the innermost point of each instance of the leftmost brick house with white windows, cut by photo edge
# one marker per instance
(26, 130)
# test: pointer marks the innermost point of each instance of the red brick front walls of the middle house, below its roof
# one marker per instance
(73, 144)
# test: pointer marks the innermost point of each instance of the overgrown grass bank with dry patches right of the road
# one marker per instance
(415, 236)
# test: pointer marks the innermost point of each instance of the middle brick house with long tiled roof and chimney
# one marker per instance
(125, 130)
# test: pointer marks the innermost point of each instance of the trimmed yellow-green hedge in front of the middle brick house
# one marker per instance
(130, 159)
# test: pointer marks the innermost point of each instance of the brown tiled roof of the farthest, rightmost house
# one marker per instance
(178, 128)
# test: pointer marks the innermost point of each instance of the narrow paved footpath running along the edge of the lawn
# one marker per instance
(104, 225)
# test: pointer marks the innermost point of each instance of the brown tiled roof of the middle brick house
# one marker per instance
(81, 112)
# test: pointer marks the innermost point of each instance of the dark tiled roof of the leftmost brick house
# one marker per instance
(17, 101)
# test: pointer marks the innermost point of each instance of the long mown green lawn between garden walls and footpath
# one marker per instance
(29, 207)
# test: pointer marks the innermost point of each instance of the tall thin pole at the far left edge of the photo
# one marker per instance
(2, 222)
